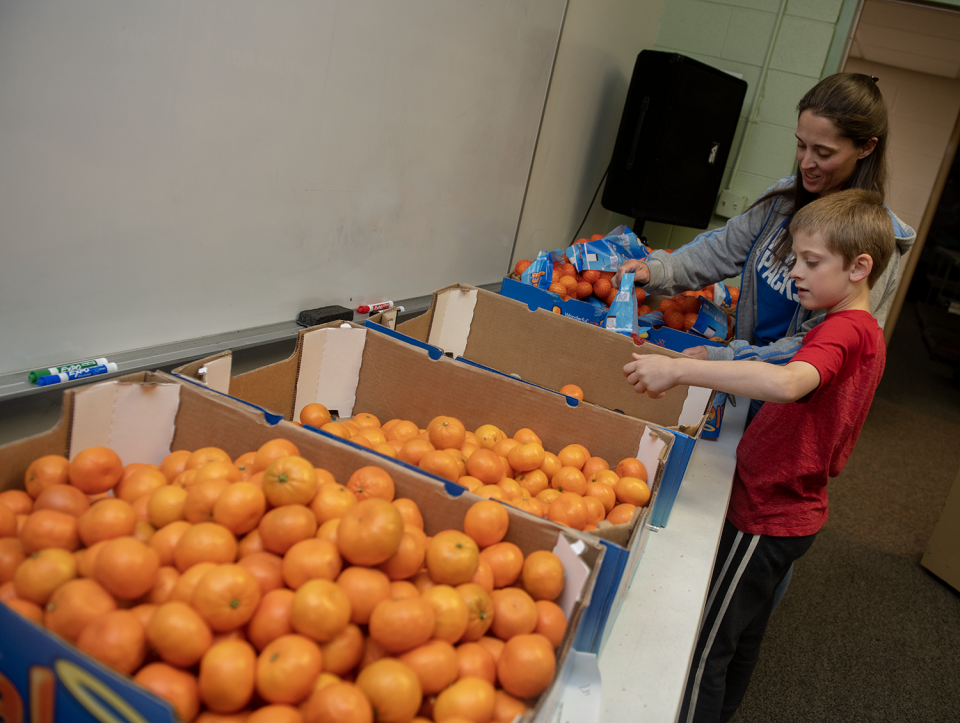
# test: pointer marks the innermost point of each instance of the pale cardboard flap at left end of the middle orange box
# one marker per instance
(330, 362)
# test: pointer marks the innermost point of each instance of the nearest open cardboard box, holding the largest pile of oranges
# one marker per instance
(145, 416)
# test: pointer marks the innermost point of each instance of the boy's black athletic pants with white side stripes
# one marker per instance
(746, 573)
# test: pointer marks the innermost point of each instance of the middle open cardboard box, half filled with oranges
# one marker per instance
(351, 369)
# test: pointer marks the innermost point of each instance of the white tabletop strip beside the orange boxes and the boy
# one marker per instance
(644, 661)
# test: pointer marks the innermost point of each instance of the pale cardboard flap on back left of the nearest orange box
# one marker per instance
(134, 420)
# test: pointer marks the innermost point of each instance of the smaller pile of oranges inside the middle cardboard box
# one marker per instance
(571, 487)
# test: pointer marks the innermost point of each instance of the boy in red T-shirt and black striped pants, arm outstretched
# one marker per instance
(841, 244)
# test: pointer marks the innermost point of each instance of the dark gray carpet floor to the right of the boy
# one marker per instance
(865, 633)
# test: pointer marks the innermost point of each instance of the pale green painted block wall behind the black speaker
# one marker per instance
(735, 36)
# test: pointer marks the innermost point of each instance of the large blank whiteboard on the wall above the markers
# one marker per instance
(171, 170)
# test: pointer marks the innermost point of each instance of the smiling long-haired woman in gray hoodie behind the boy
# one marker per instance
(841, 143)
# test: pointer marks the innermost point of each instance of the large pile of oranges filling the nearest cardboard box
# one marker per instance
(261, 589)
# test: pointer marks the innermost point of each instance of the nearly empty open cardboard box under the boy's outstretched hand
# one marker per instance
(550, 350)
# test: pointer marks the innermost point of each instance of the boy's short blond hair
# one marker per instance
(851, 222)
